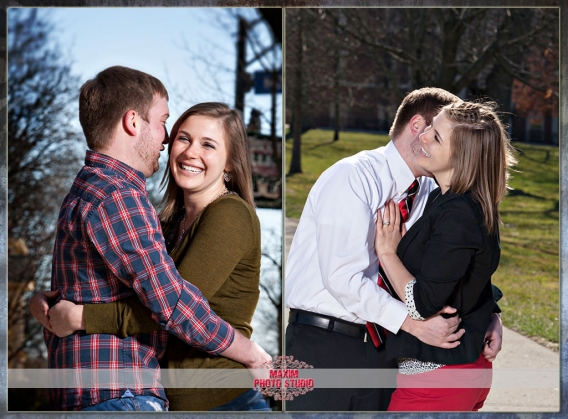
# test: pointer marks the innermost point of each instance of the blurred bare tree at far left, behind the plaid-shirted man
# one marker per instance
(43, 151)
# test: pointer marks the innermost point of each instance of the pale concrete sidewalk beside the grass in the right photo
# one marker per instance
(519, 353)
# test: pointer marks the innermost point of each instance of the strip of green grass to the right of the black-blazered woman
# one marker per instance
(529, 270)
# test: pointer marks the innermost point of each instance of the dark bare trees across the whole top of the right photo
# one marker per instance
(471, 52)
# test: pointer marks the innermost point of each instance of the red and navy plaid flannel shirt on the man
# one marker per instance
(109, 246)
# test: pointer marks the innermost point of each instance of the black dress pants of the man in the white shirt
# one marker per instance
(323, 349)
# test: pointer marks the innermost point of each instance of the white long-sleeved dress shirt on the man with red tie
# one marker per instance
(332, 267)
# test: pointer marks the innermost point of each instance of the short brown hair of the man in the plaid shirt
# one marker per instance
(105, 99)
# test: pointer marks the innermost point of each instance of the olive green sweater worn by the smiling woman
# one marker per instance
(220, 255)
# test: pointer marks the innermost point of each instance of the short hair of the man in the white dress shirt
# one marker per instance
(426, 102)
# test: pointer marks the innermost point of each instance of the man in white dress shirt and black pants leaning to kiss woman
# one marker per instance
(331, 273)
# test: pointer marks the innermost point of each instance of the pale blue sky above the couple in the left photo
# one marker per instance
(192, 50)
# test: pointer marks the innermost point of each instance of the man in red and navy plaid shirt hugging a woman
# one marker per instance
(109, 246)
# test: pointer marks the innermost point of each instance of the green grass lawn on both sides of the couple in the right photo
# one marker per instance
(528, 273)
